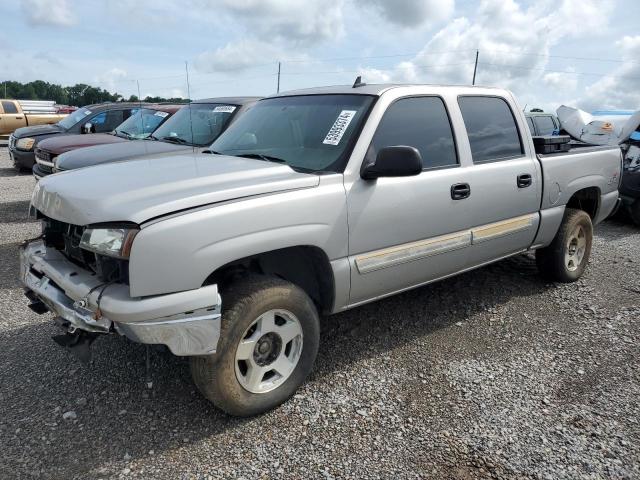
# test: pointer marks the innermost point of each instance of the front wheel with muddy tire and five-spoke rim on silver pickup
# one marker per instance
(268, 343)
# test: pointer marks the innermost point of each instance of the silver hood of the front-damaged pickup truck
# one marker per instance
(140, 190)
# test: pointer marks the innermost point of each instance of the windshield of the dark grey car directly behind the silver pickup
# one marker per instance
(205, 120)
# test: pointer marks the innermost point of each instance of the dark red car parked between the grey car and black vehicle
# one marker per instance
(138, 126)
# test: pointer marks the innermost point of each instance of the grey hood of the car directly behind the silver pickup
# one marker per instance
(115, 152)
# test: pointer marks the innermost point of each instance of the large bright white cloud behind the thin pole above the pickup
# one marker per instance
(514, 43)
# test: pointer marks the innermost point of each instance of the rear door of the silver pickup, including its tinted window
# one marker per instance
(506, 184)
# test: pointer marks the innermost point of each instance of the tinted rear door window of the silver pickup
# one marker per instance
(491, 127)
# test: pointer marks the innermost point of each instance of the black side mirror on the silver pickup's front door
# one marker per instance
(396, 161)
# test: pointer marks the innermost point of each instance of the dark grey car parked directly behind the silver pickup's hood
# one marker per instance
(194, 126)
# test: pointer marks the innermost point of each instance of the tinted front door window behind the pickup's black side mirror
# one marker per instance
(420, 122)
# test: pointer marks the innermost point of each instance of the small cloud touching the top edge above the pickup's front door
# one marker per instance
(412, 13)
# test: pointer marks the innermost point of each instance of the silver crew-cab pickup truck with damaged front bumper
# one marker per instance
(313, 202)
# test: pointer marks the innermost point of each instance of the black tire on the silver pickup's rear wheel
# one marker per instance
(551, 260)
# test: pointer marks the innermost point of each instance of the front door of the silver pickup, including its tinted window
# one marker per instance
(410, 230)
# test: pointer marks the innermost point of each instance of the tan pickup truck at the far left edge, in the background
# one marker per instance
(16, 114)
